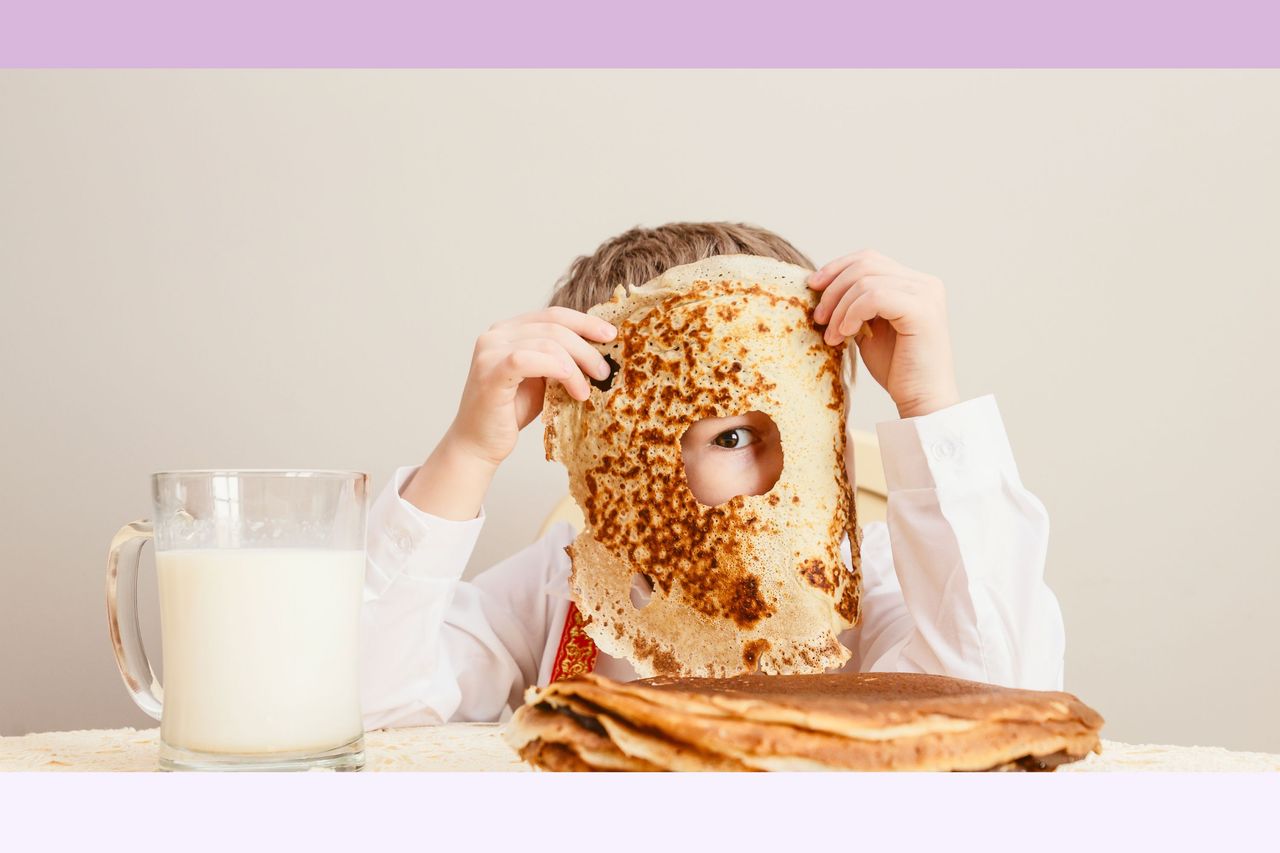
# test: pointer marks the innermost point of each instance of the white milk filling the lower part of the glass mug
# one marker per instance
(260, 649)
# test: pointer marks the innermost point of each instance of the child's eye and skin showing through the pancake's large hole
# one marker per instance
(730, 457)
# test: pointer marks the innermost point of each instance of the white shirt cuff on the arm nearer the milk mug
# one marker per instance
(406, 541)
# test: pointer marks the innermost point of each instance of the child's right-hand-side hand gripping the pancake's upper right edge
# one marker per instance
(909, 348)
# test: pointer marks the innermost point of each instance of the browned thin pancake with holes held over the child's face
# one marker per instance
(756, 583)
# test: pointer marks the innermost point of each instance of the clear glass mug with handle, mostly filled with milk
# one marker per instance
(260, 577)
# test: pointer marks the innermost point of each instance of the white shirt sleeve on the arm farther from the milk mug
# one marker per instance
(954, 583)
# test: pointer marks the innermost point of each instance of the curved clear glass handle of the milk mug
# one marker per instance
(122, 618)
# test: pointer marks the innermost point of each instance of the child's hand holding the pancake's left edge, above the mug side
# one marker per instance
(510, 368)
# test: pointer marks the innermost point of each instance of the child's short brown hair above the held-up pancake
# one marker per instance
(642, 254)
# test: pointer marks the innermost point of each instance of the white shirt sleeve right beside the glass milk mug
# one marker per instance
(435, 647)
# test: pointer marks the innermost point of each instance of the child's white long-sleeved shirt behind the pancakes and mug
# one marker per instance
(953, 585)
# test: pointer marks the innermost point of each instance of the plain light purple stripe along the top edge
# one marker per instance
(642, 34)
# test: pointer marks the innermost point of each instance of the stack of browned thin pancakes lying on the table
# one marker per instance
(840, 722)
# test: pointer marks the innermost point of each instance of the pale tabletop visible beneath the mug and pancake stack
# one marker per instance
(472, 747)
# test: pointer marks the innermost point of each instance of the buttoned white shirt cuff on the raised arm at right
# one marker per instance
(957, 446)
